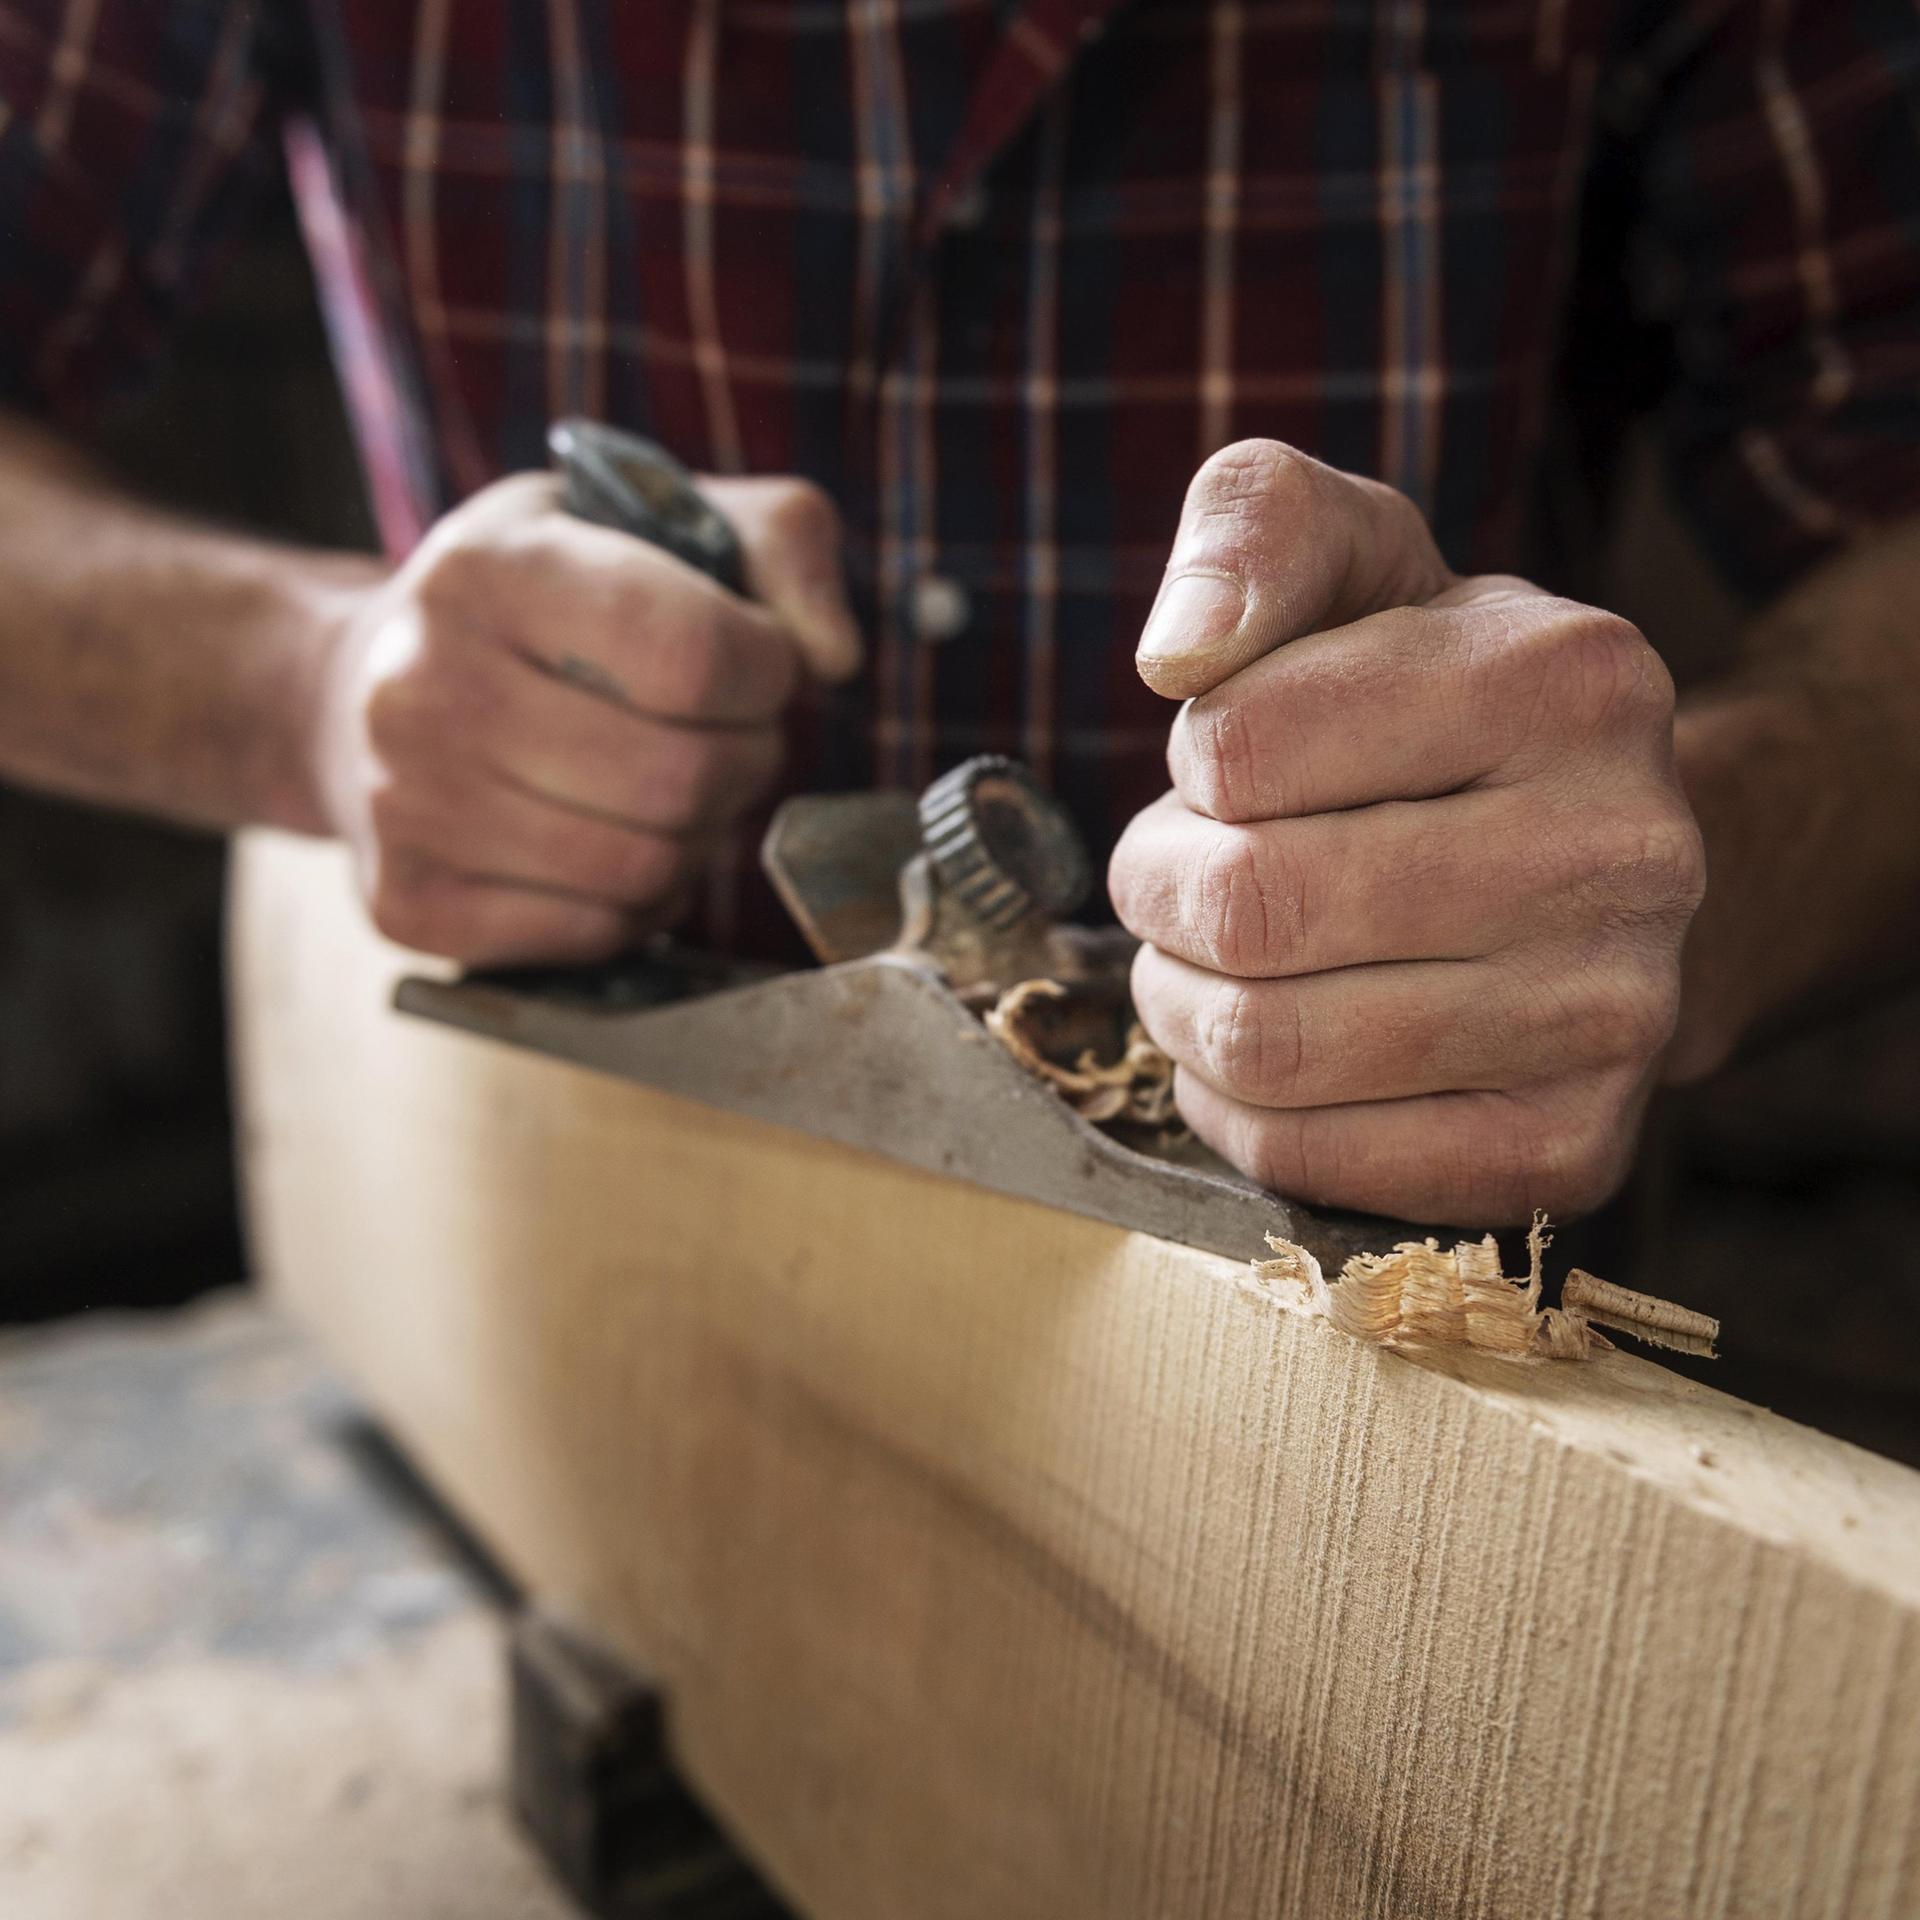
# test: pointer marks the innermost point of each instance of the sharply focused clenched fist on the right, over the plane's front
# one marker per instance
(1414, 907)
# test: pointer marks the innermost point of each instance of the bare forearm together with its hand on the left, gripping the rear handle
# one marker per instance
(496, 809)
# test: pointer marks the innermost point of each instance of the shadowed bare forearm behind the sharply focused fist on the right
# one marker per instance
(1806, 779)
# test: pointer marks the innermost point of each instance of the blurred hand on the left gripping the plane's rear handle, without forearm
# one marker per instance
(533, 734)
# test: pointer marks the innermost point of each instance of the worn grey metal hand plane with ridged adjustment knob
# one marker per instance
(921, 911)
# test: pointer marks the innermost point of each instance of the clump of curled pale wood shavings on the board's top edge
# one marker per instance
(1424, 1297)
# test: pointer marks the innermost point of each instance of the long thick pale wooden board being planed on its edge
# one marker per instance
(1003, 1566)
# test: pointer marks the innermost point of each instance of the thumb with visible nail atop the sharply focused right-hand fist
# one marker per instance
(1274, 546)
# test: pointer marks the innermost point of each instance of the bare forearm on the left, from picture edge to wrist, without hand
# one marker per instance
(153, 663)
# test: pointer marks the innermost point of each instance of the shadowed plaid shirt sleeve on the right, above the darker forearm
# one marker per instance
(1779, 249)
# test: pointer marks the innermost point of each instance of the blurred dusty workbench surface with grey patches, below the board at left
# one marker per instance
(243, 1669)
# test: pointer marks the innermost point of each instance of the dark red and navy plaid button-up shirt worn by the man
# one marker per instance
(1001, 276)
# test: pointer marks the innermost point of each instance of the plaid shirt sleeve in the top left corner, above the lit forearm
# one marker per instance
(135, 137)
